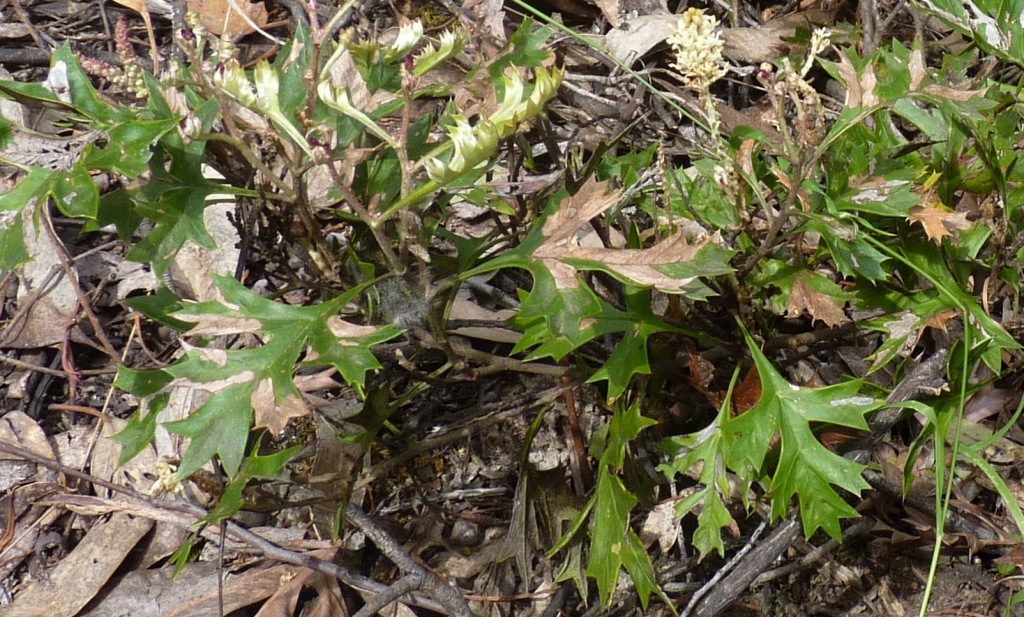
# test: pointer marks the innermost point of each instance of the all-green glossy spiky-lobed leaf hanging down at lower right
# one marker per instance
(805, 469)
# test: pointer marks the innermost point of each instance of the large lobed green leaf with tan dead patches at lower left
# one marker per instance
(262, 378)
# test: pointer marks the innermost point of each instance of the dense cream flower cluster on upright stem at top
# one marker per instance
(698, 45)
